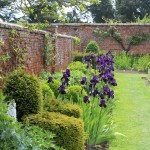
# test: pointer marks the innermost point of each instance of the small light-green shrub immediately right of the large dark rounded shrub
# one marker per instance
(46, 91)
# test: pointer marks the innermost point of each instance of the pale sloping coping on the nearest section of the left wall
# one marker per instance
(18, 27)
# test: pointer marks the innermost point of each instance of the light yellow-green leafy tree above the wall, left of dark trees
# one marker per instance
(50, 10)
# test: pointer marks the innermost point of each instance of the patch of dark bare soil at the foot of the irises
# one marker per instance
(103, 146)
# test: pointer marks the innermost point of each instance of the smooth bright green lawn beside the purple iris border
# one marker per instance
(132, 113)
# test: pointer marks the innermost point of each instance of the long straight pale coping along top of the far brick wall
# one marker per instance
(98, 24)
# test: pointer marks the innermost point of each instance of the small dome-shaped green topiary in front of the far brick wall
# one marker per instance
(93, 47)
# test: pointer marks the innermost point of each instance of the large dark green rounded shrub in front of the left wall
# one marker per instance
(25, 90)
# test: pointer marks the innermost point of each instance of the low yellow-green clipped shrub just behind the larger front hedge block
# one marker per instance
(65, 108)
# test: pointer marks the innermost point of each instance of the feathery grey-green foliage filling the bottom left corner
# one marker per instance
(15, 136)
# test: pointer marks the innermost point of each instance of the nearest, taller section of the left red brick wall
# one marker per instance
(34, 41)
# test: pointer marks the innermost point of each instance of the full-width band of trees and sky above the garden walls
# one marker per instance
(41, 11)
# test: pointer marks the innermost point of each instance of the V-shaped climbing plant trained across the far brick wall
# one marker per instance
(113, 32)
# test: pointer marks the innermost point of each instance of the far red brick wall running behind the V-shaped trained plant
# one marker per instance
(85, 33)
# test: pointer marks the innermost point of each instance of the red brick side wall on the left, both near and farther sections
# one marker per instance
(33, 43)
